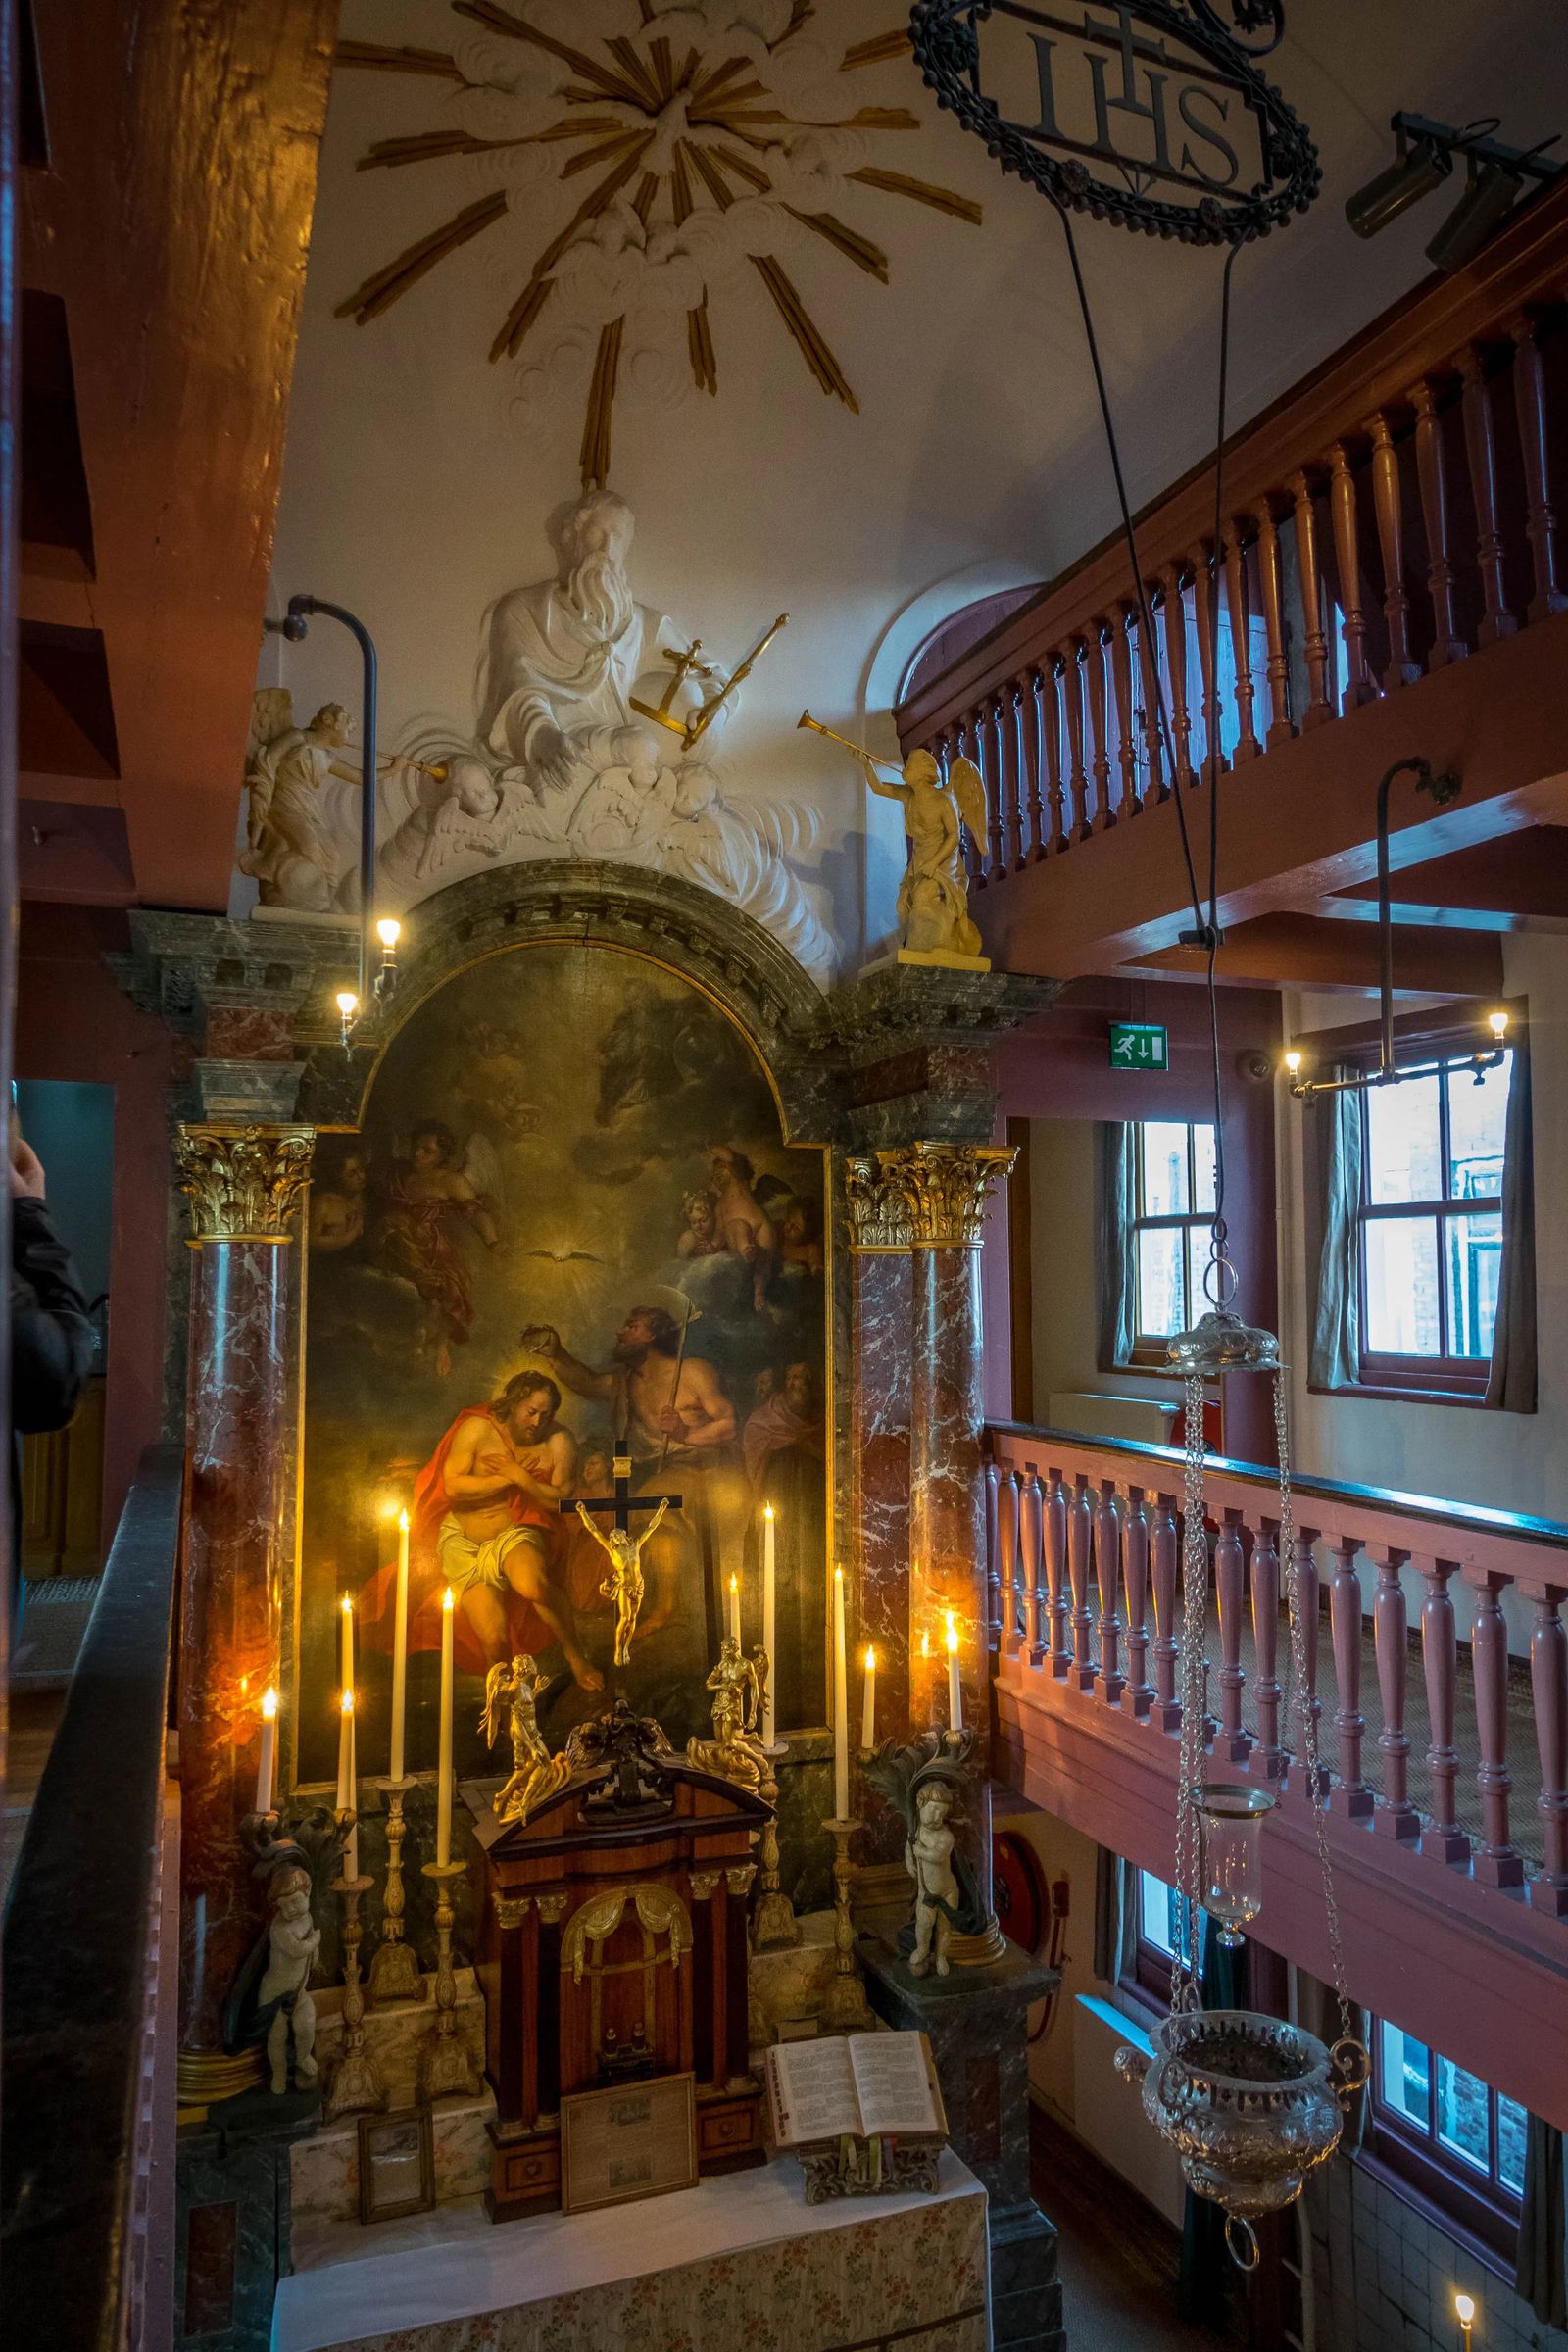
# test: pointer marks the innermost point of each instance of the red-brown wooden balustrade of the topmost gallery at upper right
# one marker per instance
(1388, 516)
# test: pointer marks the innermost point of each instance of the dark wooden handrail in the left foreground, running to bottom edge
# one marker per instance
(76, 1951)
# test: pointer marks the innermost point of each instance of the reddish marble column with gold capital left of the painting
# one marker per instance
(246, 1184)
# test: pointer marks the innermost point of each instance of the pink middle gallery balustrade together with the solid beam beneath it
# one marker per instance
(1438, 1671)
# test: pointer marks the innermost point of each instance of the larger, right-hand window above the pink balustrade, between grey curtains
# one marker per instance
(1430, 1231)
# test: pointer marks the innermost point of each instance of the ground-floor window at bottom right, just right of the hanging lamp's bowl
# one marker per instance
(1449, 2139)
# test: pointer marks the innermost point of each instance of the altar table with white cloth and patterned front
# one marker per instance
(735, 2261)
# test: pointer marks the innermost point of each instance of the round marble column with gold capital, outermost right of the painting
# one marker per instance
(946, 1189)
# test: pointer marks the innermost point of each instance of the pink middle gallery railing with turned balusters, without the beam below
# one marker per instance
(1085, 1556)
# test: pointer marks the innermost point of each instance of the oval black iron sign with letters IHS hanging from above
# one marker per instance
(1144, 112)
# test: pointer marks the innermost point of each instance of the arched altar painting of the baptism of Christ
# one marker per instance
(568, 1231)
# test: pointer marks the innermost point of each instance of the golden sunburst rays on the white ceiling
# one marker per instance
(664, 131)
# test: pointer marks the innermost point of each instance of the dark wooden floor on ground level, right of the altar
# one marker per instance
(1120, 2259)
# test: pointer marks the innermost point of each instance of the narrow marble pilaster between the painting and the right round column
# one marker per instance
(880, 1309)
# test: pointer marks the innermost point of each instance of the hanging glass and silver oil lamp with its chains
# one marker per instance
(1247, 2102)
